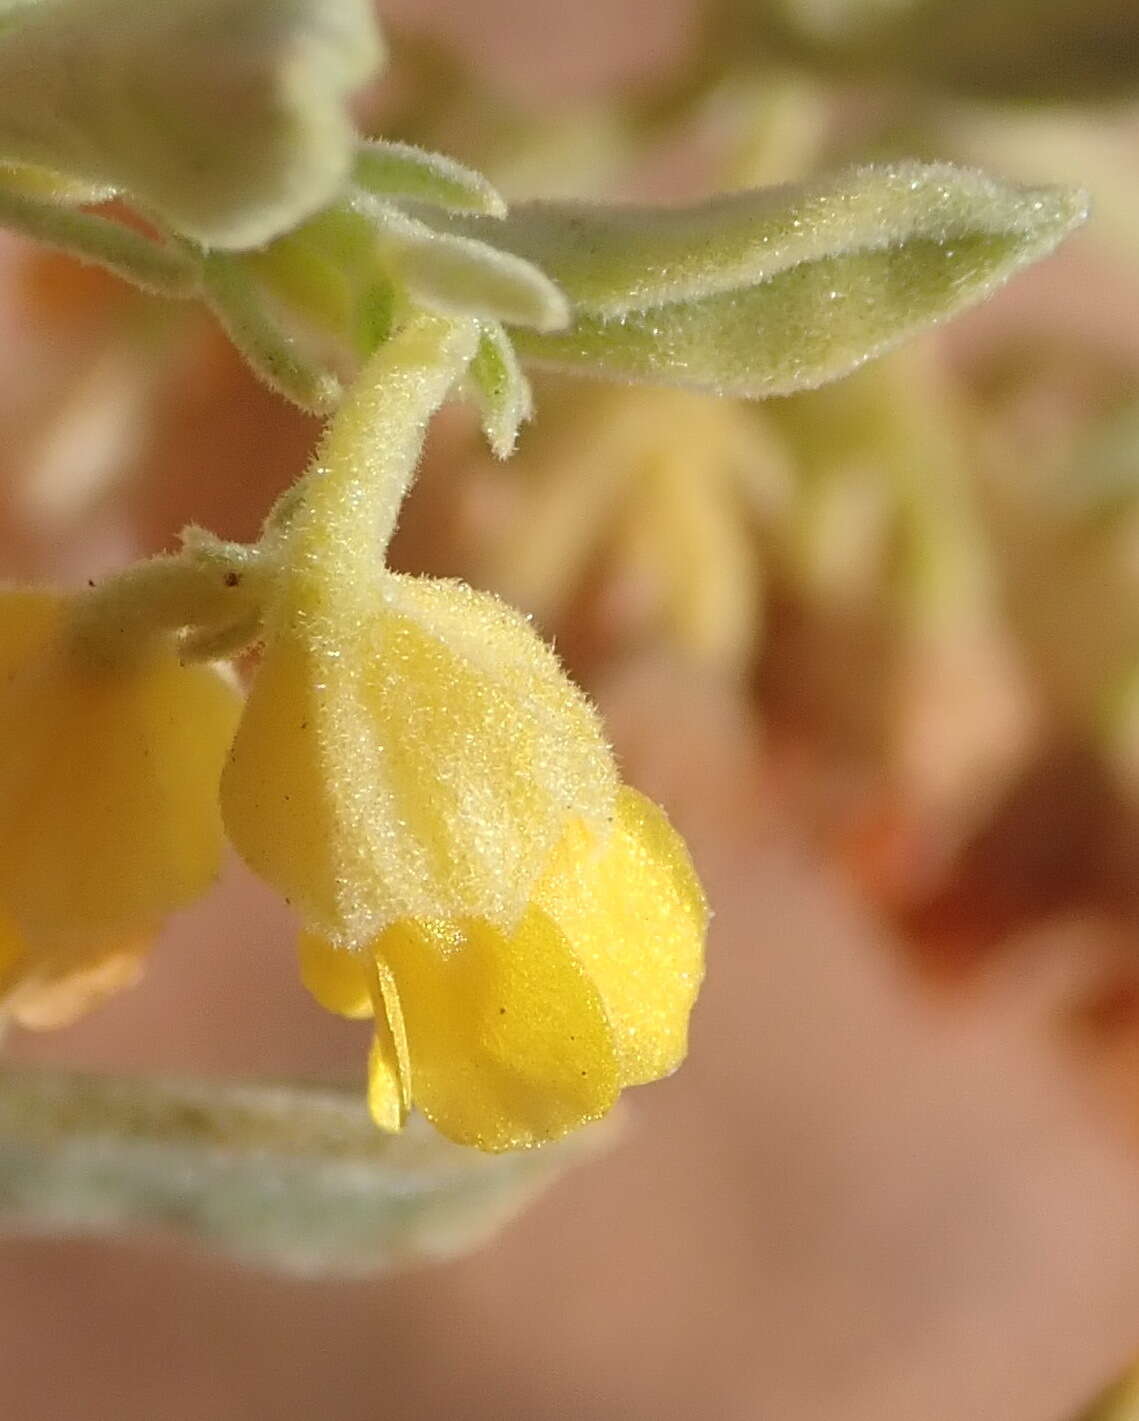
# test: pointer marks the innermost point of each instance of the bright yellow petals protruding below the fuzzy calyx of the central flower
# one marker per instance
(512, 1039)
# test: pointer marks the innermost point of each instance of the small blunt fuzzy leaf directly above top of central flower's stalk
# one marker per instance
(464, 276)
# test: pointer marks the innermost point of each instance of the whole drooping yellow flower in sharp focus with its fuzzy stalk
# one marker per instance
(415, 772)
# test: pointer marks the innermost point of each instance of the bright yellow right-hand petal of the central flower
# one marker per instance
(636, 916)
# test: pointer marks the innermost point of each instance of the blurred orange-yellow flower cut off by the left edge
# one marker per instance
(109, 804)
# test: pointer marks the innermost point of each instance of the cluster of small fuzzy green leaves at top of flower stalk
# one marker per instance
(366, 262)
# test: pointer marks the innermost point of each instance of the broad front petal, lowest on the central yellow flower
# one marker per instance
(508, 1038)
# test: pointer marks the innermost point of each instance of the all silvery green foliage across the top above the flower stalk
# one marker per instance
(227, 120)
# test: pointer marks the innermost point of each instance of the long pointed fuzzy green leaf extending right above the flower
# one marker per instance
(778, 291)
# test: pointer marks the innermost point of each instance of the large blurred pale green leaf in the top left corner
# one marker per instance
(225, 119)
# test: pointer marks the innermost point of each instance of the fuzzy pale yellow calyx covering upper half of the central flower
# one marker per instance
(415, 760)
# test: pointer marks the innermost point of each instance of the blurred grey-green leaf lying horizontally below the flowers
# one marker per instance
(290, 1177)
